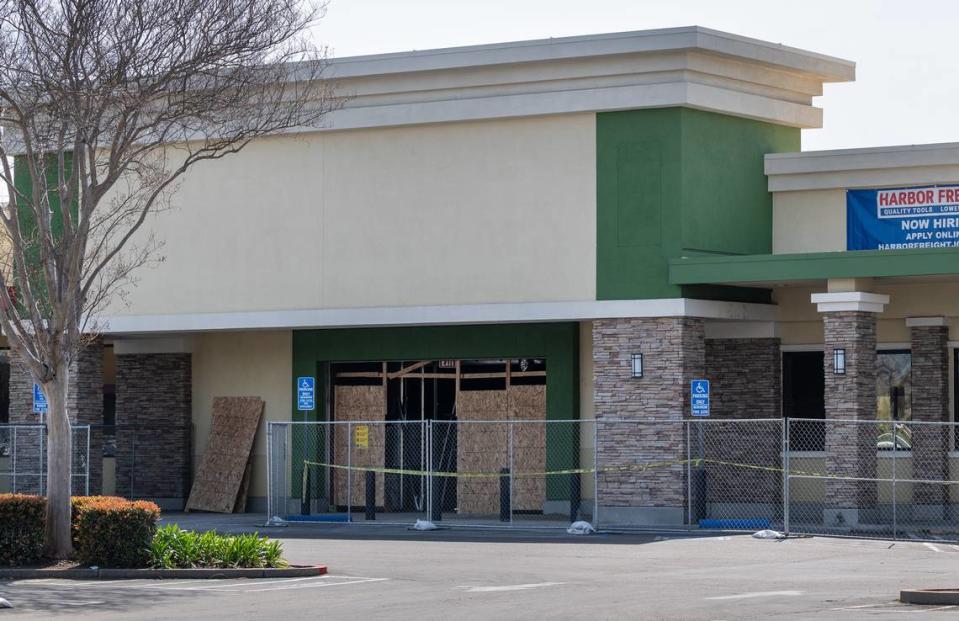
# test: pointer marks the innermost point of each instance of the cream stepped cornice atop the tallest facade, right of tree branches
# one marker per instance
(690, 66)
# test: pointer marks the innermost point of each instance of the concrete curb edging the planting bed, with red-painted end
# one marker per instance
(299, 571)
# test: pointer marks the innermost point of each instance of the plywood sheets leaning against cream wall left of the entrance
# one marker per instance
(219, 477)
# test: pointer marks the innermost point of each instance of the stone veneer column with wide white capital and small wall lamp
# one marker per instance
(849, 321)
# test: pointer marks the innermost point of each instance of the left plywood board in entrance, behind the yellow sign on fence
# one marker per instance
(353, 445)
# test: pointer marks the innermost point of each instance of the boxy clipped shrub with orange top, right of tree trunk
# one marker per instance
(113, 532)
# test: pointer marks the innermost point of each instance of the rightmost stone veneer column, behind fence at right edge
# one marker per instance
(930, 403)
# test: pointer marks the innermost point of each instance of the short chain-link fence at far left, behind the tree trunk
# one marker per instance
(23, 459)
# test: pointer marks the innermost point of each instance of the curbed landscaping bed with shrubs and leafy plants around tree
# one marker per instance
(118, 538)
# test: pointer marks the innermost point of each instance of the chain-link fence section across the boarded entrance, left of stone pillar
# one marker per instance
(482, 473)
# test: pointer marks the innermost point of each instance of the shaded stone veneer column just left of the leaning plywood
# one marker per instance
(154, 416)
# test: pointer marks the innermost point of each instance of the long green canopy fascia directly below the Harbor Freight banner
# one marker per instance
(774, 268)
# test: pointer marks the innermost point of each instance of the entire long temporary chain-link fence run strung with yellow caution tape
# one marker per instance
(833, 477)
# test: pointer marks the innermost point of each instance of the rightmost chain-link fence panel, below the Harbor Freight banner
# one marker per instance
(889, 479)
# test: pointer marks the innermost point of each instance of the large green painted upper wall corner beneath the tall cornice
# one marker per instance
(675, 182)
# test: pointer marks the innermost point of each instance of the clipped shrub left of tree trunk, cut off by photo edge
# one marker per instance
(21, 528)
